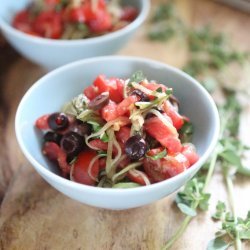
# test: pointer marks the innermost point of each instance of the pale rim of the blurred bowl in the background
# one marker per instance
(7, 27)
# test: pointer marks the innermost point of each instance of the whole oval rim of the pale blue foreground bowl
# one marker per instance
(111, 191)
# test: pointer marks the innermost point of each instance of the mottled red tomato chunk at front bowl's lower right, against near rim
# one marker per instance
(169, 166)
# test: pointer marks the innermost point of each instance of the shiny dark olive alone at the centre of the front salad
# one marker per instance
(135, 147)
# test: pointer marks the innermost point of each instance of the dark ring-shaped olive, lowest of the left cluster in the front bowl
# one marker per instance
(72, 143)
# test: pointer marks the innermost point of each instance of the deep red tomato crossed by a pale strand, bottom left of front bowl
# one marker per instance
(81, 166)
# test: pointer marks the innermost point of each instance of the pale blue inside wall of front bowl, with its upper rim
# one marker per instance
(53, 90)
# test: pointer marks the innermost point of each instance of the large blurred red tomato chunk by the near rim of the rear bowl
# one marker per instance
(49, 24)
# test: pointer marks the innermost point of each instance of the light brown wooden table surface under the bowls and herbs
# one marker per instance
(36, 216)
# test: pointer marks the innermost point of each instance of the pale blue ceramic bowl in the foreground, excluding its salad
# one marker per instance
(49, 94)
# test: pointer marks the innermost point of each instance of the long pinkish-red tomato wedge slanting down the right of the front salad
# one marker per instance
(166, 135)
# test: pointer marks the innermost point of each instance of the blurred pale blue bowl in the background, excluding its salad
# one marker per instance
(53, 53)
